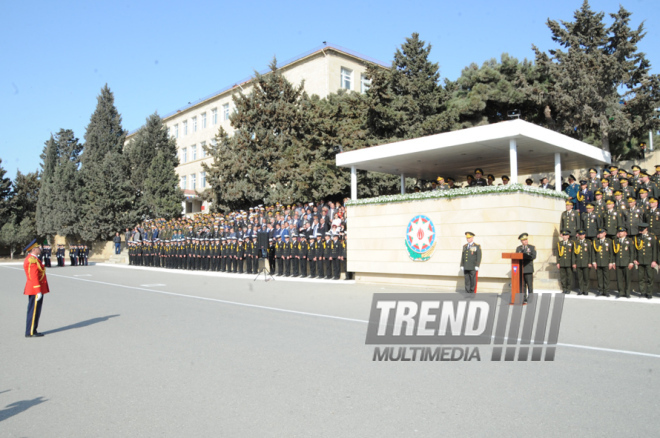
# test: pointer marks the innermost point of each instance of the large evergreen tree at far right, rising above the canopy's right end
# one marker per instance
(600, 87)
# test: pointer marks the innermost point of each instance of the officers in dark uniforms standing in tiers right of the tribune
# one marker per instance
(611, 223)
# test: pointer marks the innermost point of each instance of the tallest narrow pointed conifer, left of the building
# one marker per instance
(108, 195)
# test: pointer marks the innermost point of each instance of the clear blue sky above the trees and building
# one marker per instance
(159, 55)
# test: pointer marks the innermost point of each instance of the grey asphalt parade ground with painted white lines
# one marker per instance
(155, 353)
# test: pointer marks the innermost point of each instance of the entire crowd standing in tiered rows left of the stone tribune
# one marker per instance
(300, 240)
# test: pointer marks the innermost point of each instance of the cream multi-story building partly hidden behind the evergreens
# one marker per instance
(325, 70)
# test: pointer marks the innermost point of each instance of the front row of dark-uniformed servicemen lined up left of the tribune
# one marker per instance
(290, 255)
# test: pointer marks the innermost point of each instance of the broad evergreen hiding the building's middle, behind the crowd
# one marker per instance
(268, 157)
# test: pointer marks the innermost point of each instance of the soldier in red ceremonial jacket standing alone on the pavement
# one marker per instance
(36, 287)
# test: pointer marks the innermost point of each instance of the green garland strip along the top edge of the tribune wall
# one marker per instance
(456, 193)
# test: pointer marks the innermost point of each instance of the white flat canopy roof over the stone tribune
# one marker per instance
(488, 147)
